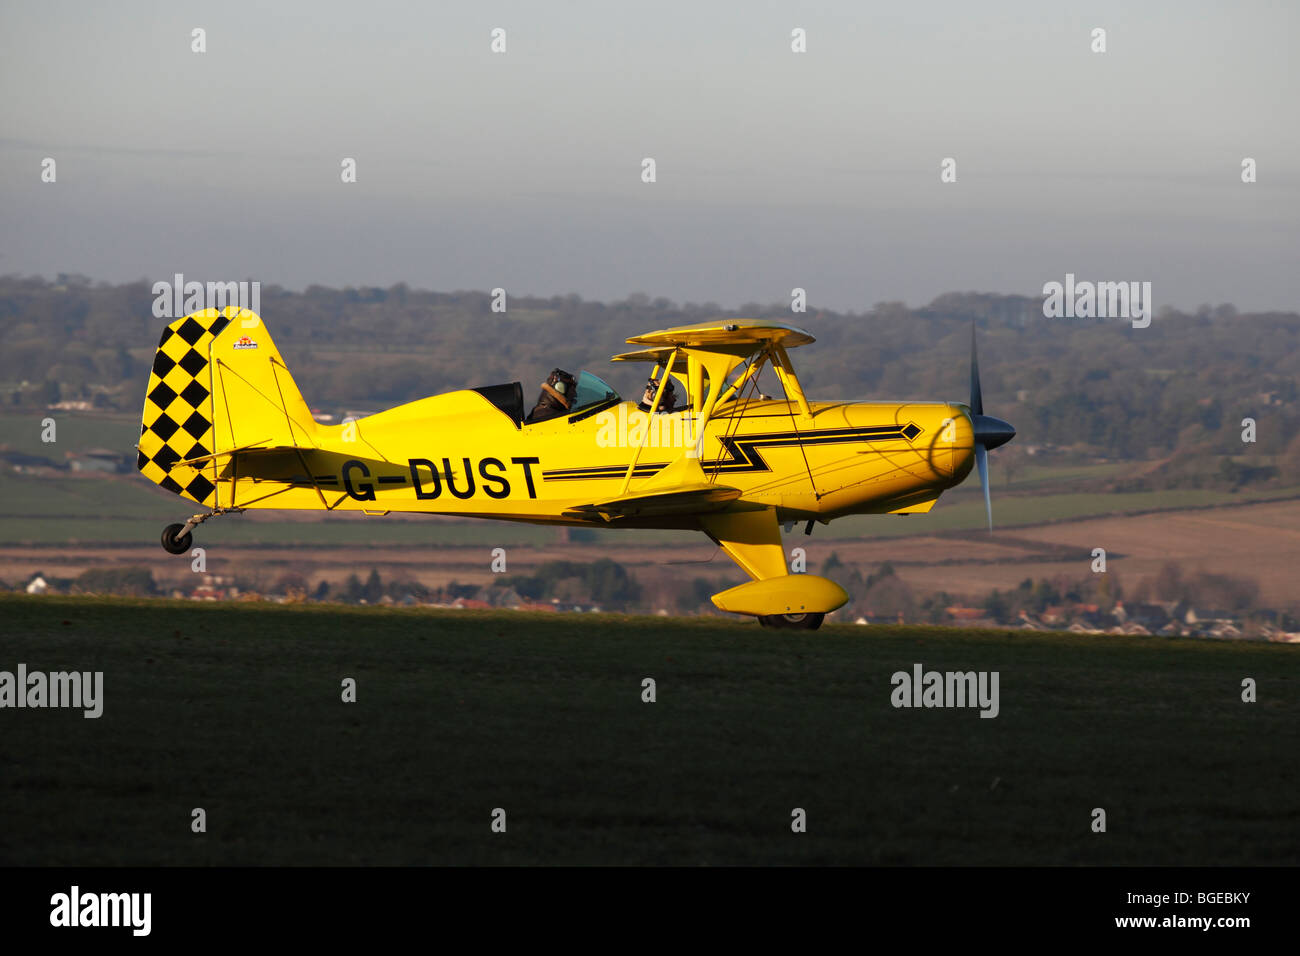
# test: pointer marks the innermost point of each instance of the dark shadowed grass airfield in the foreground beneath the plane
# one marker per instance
(237, 710)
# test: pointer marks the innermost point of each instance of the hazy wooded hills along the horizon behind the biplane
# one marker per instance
(1173, 395)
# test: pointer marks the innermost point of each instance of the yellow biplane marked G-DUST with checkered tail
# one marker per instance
(226, 426)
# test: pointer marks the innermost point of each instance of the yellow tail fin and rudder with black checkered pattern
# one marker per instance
(218, 386)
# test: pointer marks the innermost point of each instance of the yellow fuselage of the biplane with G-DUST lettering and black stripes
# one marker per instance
(458, 455)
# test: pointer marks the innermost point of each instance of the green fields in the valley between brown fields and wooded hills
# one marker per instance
(127, 509)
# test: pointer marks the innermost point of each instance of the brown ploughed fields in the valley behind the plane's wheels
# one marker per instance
(1260, 542)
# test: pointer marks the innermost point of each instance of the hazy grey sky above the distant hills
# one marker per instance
(775, 170)
